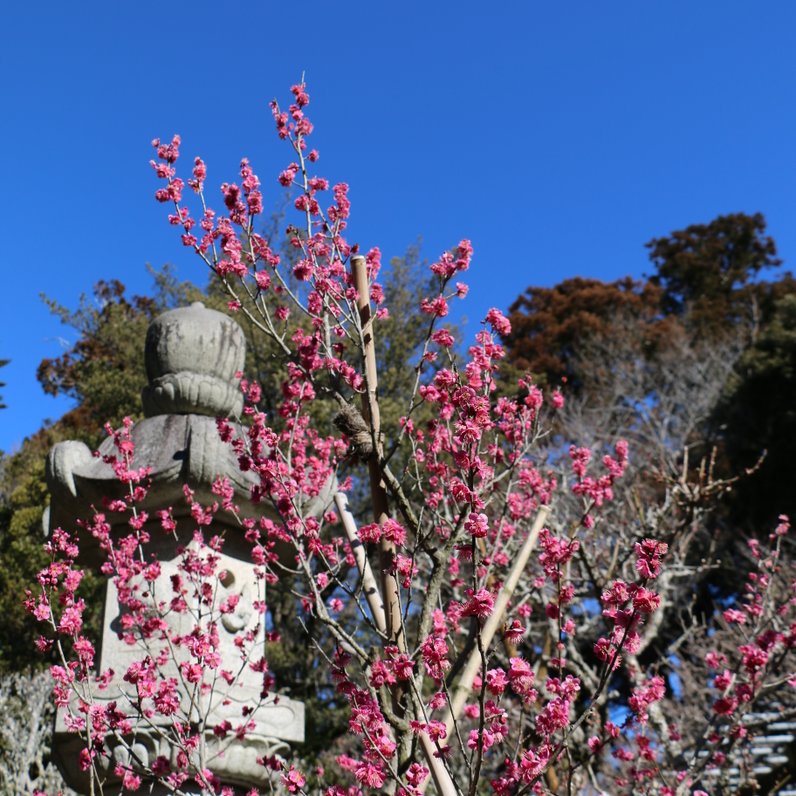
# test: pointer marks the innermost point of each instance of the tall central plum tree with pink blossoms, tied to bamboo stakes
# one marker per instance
(463, 503)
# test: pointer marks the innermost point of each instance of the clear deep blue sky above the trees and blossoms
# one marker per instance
(559, 137)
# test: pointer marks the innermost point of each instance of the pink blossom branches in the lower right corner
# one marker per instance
(746, 656)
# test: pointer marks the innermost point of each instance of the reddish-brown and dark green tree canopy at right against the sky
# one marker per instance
(710, 289)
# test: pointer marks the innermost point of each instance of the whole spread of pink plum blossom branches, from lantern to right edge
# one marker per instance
(480, 631)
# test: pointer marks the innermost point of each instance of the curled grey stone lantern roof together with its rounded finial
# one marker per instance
(192, 356)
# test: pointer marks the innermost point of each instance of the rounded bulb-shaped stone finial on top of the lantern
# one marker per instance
(192, 355)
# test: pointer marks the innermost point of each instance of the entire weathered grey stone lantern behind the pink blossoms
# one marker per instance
(192, 355)
